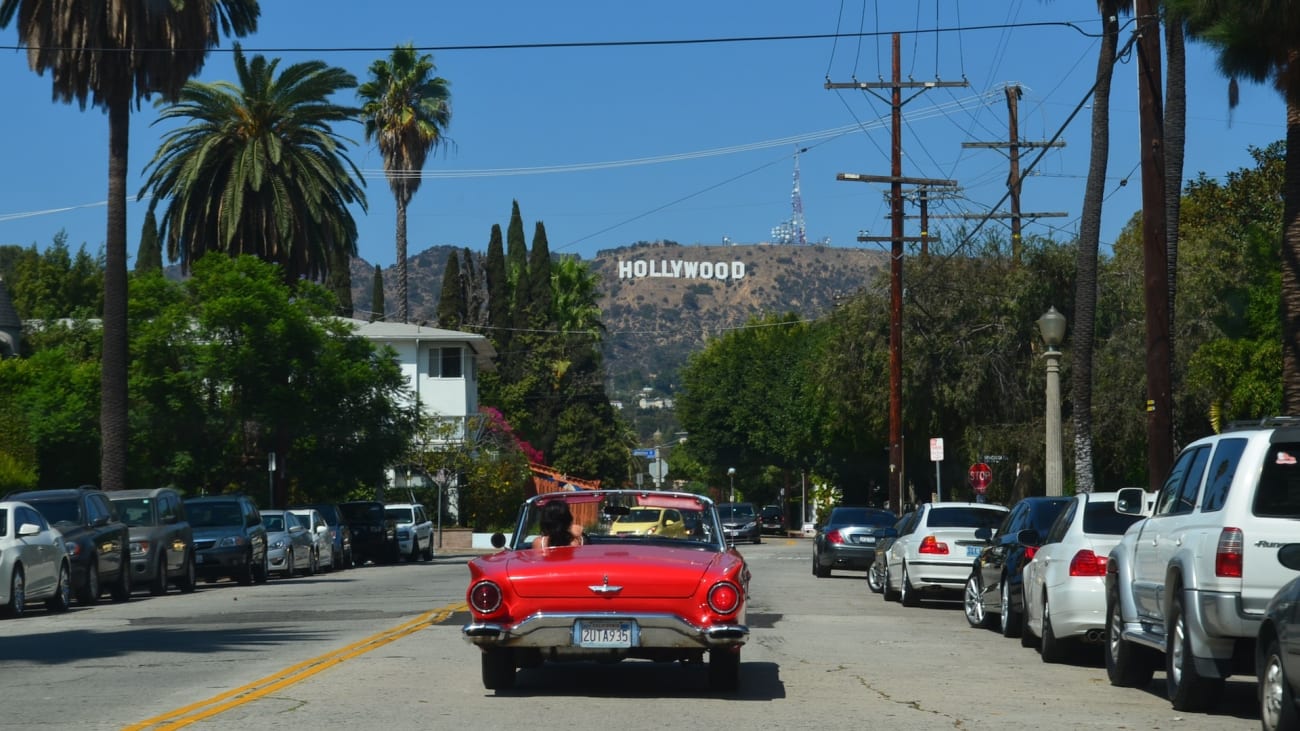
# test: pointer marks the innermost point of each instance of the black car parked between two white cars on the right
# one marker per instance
(996, 583)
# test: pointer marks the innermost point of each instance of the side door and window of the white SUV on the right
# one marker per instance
(1160, 535)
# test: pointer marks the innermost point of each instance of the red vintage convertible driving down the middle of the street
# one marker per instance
(610, 596)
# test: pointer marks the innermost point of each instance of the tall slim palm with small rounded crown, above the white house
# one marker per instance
(408, 111)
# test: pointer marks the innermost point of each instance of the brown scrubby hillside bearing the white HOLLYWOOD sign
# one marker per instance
(665, 301)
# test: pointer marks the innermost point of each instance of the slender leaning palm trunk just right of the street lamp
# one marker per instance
(1086, 263)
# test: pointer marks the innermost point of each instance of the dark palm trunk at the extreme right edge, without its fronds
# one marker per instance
(1292, 246)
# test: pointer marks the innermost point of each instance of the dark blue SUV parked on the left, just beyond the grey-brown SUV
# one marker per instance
(229, 539)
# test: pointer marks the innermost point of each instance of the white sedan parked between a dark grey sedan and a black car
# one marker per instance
(935, 557)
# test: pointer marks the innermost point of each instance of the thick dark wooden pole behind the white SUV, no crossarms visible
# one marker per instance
(1160, 421)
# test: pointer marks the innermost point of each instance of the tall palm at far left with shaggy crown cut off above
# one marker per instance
(116, 54)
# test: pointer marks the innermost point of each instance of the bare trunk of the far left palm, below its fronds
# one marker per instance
(112, 412)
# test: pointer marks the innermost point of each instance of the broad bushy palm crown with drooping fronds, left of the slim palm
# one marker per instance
(258, 170)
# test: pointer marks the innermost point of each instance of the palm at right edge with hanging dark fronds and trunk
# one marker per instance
(1262, 42)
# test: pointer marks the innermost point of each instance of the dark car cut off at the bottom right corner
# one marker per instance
(1277, 651)
